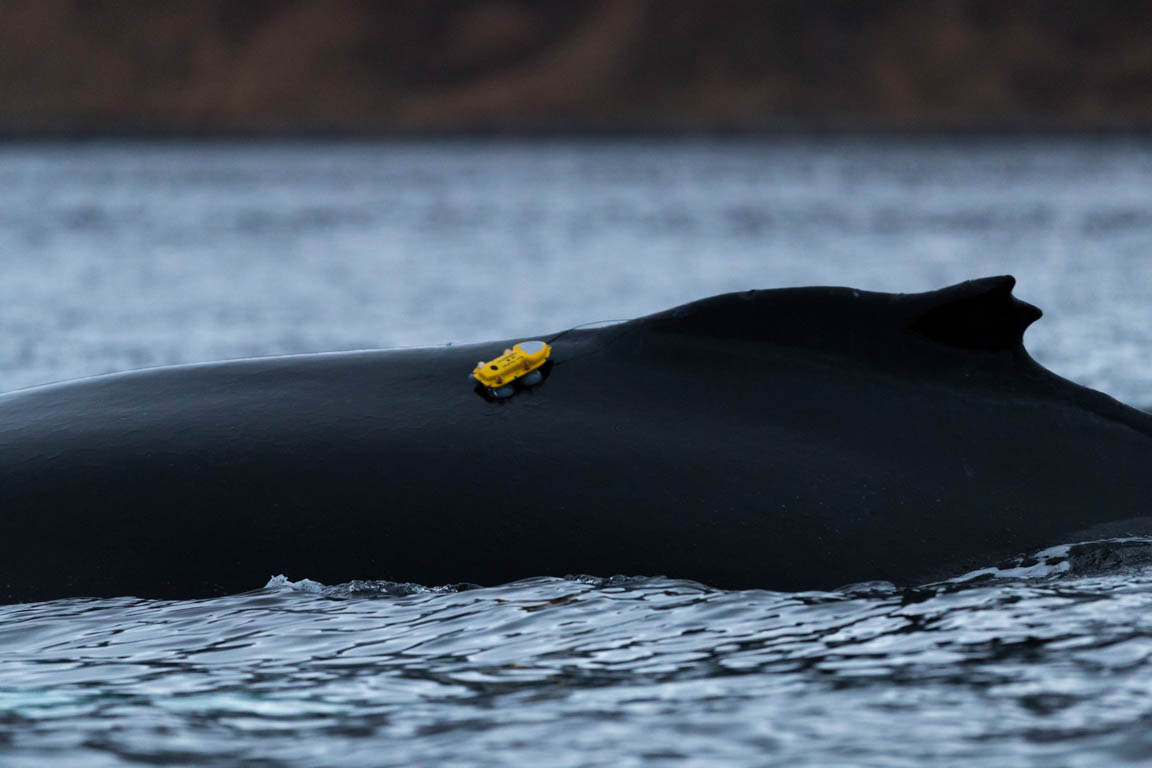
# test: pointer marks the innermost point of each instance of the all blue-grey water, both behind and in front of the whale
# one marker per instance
(120, 256)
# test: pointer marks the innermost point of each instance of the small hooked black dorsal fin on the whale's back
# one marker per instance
(976, 315)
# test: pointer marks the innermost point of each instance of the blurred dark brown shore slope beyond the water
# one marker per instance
(411, 66)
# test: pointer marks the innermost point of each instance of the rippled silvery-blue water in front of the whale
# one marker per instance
(1042, 661)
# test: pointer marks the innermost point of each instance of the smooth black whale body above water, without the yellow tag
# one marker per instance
(786, 439)
